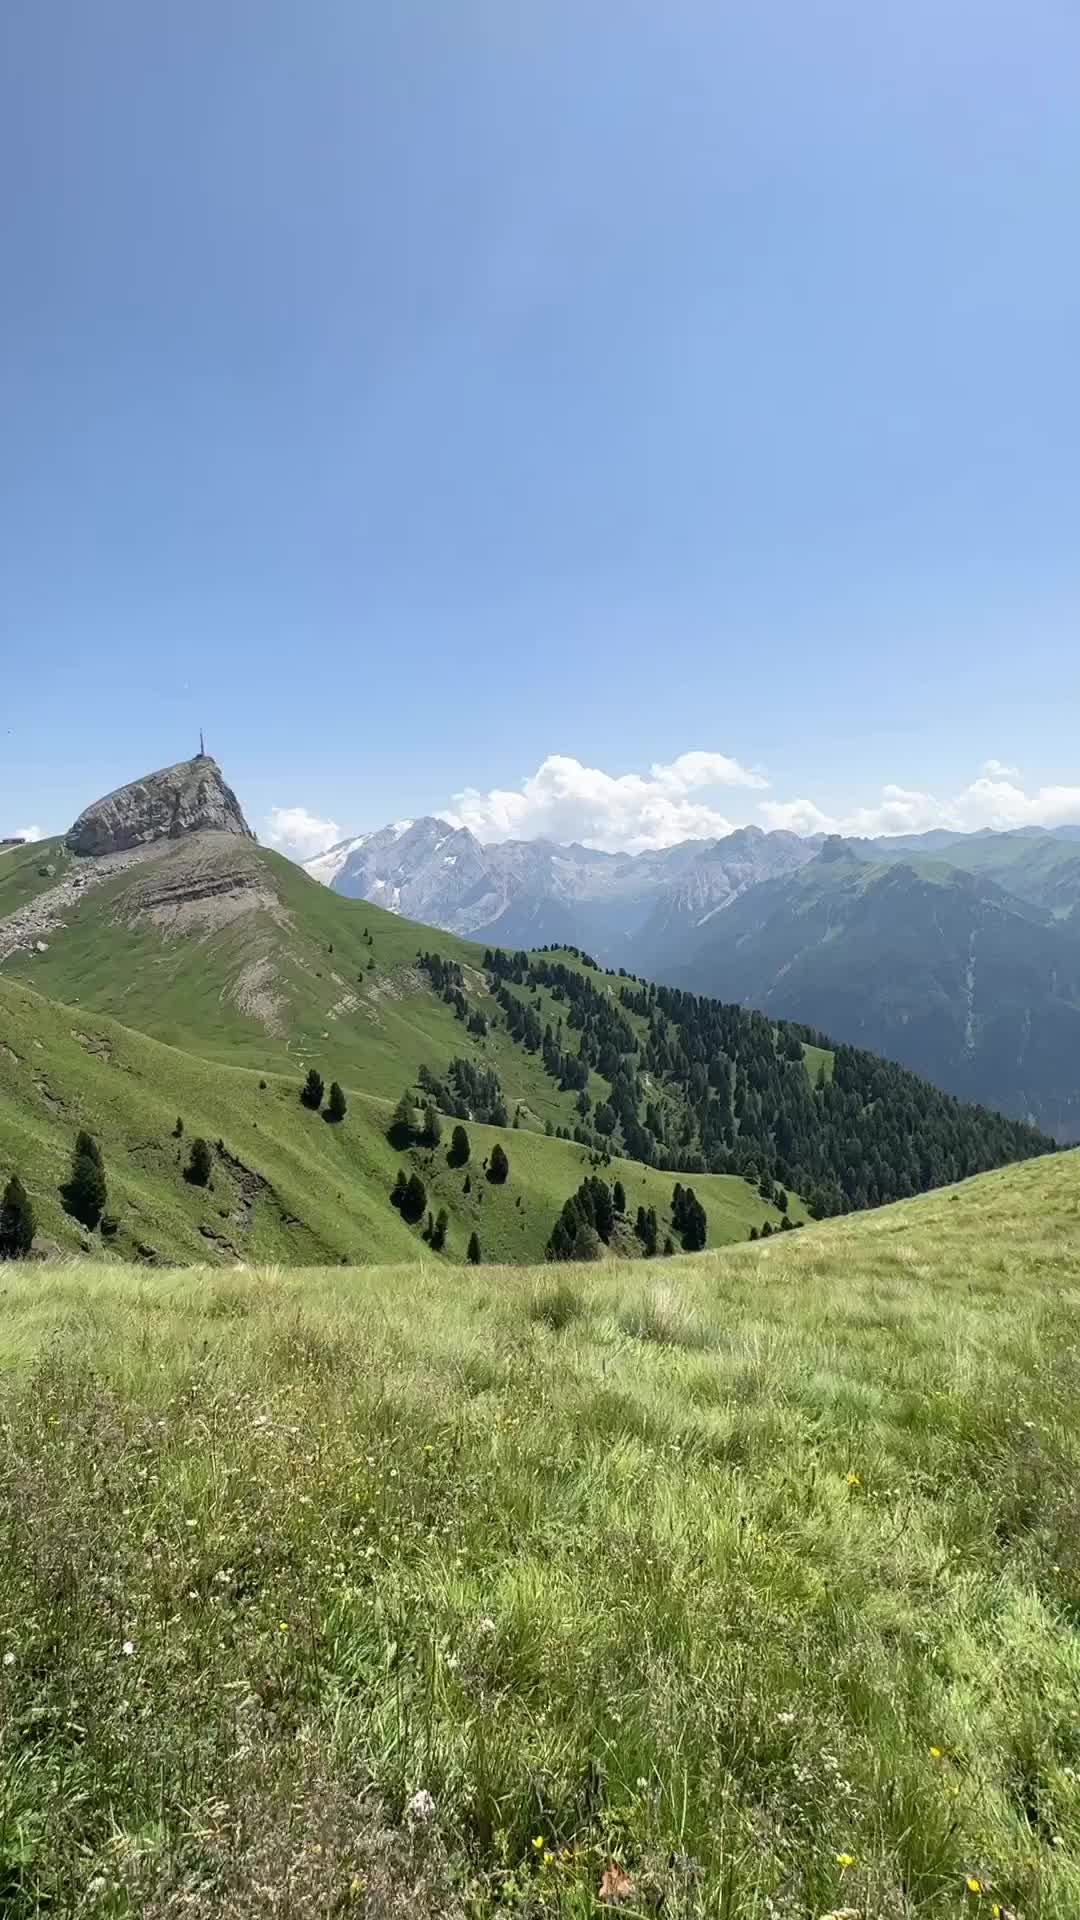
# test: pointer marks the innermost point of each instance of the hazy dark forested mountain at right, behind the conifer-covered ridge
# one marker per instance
(920, 961)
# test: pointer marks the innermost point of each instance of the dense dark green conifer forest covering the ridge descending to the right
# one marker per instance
(704, 1088)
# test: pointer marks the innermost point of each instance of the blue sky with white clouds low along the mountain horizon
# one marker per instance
(420, 393)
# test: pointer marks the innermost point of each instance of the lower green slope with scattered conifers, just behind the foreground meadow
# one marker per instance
(289, 1188)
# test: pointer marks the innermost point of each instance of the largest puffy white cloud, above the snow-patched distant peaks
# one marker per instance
(618, 813)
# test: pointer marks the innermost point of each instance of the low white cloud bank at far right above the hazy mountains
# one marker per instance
(985, 804)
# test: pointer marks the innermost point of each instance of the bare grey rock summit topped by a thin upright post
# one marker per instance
(189, 798)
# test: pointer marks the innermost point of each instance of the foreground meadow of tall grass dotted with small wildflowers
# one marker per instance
(743, 1585)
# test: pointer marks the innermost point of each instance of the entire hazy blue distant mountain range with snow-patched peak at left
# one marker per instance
(952, 953)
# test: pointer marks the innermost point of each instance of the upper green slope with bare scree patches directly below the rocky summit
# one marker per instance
(297, 976)
